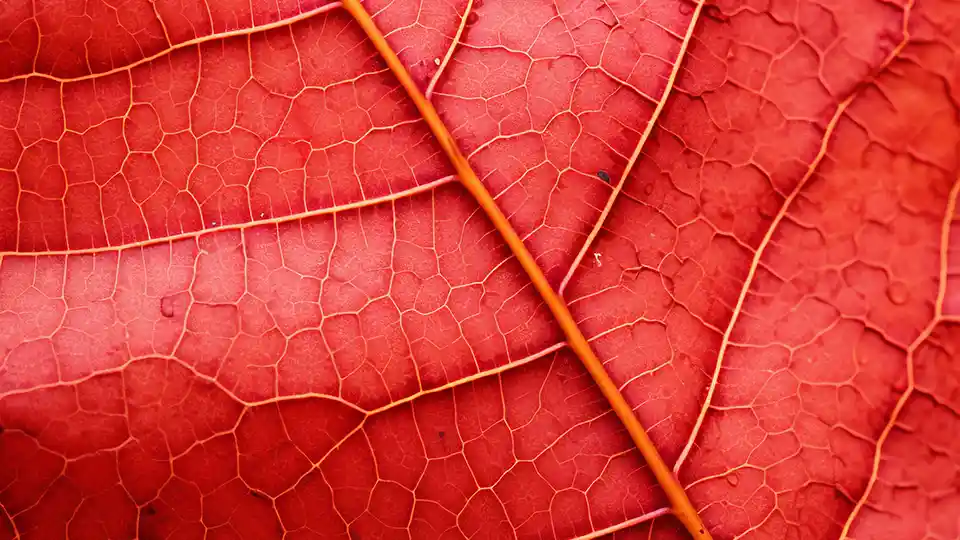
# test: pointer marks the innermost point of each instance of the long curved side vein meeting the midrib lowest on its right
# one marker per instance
(768, 237)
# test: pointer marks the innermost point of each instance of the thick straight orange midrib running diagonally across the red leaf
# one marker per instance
(679, 501)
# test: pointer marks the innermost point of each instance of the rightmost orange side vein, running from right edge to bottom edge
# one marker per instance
(908, 391)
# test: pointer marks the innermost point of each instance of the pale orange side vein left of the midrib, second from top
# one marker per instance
(416, 190)
